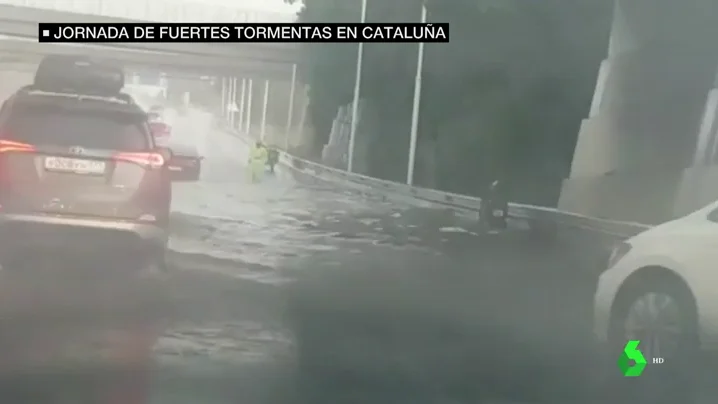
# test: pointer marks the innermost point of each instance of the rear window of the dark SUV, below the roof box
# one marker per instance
(89, 129)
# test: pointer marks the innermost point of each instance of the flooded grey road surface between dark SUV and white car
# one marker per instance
(307, 293)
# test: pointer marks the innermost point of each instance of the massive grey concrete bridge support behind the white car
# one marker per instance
(648, 151)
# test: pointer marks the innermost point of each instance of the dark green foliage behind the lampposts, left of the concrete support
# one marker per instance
(503, 99)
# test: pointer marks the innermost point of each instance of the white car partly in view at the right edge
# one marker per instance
(661, 288)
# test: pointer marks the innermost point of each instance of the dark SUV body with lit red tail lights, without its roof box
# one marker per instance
(81, 175)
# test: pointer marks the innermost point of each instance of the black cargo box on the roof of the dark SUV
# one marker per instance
(78, 74)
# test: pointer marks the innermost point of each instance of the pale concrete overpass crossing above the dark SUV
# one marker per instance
(267, 101)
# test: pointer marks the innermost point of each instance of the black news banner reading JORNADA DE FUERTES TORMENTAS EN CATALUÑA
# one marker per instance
(246, 32)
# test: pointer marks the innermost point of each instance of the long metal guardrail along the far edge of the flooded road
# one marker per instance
(538, 217)
